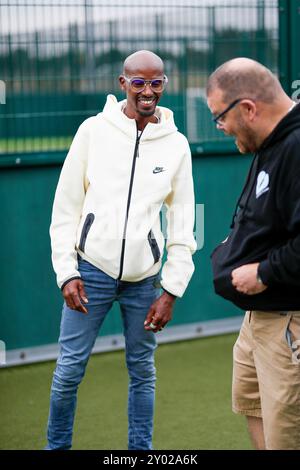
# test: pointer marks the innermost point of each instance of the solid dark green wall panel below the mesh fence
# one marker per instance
(30, 300)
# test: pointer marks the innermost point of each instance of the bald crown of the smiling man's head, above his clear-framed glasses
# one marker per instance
(141, 60)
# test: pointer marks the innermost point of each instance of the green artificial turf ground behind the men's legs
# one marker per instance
(193, 401)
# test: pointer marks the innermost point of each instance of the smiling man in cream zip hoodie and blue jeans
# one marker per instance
(107, 243)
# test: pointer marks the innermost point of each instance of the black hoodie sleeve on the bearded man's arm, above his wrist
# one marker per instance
(283, 263)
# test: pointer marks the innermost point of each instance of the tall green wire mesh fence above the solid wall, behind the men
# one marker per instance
(58, 60)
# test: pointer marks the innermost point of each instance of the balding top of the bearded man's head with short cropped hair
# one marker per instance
(245, 78)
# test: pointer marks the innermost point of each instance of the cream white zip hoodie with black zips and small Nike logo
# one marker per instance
(109, 196)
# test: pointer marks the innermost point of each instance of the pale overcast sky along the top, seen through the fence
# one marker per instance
(32, 15)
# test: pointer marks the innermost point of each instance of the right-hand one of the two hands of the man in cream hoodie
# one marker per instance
(160, 312)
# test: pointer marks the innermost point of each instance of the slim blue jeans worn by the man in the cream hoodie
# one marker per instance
(78, 333)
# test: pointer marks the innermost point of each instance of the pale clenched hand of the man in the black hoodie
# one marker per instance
(244, 279)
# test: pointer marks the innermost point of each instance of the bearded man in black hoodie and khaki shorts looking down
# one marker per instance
(257, 267)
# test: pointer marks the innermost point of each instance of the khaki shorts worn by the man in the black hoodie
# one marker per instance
(266, 375)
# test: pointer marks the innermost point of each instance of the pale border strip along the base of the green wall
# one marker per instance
(171, 334)
